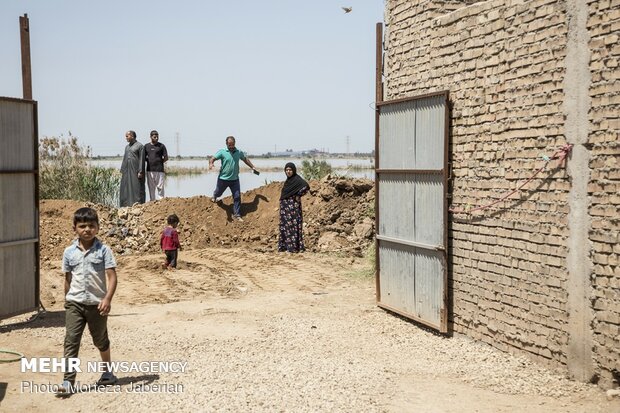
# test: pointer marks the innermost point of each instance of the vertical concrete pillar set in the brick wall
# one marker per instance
(577, 103)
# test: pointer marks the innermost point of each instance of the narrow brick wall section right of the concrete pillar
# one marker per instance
(604, 186)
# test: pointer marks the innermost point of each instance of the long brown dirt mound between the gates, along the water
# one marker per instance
(338, 216)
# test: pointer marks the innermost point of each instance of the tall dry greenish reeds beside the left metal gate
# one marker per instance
(64, 173)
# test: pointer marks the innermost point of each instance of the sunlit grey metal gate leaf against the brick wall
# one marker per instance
(411, 191)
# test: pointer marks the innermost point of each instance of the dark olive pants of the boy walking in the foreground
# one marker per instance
(77, 316)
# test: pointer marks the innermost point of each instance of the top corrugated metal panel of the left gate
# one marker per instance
(16, 129)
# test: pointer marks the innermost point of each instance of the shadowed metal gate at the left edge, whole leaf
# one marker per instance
(19, 207)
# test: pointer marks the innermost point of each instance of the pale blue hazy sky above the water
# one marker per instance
(276, 74)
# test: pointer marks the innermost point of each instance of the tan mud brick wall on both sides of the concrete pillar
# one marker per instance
(505, 64)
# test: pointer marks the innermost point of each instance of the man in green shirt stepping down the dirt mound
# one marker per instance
(229, 174)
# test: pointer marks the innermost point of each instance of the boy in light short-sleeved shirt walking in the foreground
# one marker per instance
(90, 283)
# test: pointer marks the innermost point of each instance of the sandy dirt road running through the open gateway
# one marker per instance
(276, 332)
